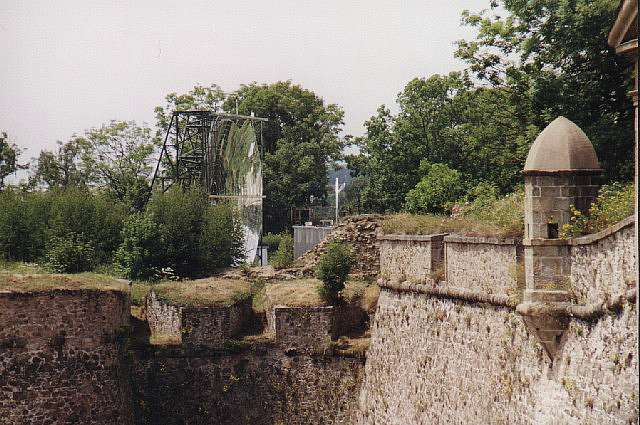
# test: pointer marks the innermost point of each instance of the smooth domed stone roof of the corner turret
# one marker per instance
(562, 146)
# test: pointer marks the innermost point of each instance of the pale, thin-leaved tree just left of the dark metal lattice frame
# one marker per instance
(119, 155)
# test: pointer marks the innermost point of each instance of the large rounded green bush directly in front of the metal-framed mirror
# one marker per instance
(181, 233)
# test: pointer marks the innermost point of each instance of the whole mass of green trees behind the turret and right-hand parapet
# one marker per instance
(532, 61)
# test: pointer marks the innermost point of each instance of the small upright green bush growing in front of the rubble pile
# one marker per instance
(333, 269)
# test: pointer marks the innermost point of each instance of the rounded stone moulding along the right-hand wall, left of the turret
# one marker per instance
(443, 291)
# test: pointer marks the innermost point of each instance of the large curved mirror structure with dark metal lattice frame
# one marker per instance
(222, 154)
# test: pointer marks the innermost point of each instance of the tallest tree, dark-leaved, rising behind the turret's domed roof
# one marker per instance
(552, 57)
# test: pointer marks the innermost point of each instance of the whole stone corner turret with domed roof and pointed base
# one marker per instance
(560, 172)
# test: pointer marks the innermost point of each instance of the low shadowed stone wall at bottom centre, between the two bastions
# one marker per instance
(262, 386)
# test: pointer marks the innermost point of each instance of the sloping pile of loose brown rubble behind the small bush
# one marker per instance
(358, 231)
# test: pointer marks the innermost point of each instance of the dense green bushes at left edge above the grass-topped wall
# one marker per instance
(72, 229)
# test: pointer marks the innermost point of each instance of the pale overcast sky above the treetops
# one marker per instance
(71, 65)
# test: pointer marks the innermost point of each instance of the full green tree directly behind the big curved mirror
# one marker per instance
(300, 139)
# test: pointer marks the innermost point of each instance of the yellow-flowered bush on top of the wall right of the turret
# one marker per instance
(614, 203)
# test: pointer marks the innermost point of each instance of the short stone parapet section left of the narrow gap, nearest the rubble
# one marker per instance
(410, 255)
